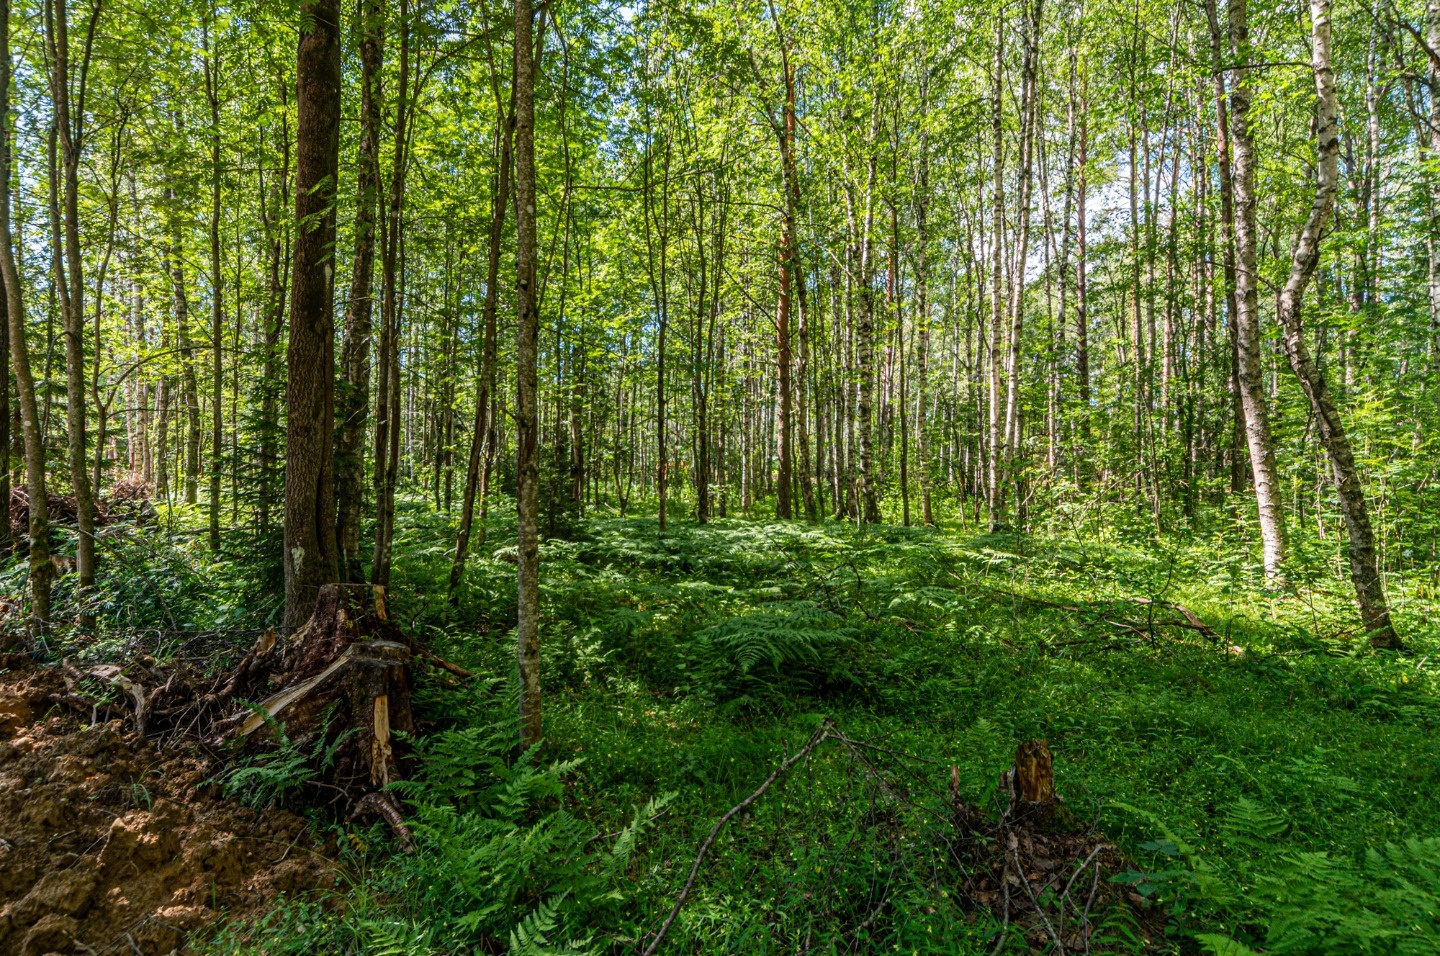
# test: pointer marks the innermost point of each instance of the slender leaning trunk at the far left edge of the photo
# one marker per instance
(40, 528)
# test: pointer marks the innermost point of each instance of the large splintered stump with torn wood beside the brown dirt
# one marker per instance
(345, 670)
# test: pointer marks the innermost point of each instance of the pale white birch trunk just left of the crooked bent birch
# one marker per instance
(1248, 303)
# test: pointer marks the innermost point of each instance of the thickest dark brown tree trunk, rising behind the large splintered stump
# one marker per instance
(310, 508)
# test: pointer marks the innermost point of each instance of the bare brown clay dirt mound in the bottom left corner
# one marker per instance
(109, 846)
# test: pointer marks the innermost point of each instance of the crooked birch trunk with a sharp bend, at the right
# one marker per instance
(1364, 574)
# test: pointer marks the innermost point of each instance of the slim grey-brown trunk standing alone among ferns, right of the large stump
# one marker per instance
(528, 410)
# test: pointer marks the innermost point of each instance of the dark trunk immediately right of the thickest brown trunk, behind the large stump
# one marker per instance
(354, 398)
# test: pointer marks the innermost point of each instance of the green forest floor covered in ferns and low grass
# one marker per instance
(1266, 781)
